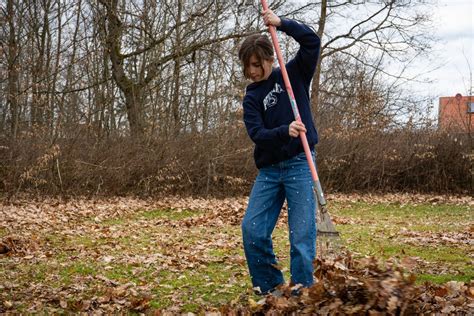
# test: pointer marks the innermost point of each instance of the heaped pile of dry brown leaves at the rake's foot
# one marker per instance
(365, 287)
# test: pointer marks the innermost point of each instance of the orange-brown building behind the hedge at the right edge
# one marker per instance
(456, 114)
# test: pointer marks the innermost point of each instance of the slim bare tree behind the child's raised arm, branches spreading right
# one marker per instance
(393, 30)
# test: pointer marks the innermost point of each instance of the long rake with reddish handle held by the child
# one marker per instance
(325, 226)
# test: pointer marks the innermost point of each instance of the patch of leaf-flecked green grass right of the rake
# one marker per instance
(380, 230)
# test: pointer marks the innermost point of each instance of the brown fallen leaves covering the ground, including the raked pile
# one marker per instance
(343, 285)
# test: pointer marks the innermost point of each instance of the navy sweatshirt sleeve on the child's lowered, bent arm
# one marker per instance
(263, 137)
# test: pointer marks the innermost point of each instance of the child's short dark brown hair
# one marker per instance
(258, 45)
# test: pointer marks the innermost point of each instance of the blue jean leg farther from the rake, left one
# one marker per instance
(262, 213)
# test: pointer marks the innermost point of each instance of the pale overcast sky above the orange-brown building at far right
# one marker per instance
(454, 54)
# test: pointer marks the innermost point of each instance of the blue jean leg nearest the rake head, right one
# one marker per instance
(301, 220)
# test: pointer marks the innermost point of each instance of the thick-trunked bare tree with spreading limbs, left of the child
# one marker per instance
(186, 16)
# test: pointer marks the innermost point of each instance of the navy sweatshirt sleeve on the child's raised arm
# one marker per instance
(307, 56)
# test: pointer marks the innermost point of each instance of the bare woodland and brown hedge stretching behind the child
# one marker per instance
(144, 97)
